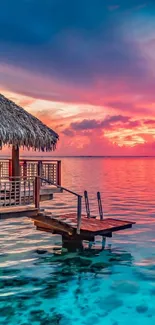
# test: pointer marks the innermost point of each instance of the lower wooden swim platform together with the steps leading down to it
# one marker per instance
(66, 225)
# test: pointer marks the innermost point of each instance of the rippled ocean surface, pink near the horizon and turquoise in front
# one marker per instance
(41, 284)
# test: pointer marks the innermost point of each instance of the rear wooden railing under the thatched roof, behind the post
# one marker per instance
(48, 169)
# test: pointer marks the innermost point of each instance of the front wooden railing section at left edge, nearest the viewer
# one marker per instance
(18, 191)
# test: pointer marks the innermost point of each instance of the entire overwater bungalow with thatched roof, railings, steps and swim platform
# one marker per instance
(24, 183)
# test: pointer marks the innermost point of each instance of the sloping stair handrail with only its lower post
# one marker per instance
(79, 200)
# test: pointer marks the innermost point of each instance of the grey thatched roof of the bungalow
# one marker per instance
(19, 128)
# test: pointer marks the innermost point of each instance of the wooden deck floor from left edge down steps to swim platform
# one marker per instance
(66, 225)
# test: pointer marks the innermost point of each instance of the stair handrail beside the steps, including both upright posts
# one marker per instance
(39, 180)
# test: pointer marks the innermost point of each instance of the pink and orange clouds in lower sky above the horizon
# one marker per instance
(108, 117)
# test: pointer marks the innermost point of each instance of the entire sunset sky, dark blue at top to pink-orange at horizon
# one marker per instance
(86, 68)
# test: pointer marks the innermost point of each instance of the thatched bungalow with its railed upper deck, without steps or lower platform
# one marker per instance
(19, 129)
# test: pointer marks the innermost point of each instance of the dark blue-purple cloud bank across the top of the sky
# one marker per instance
(72, 40)
